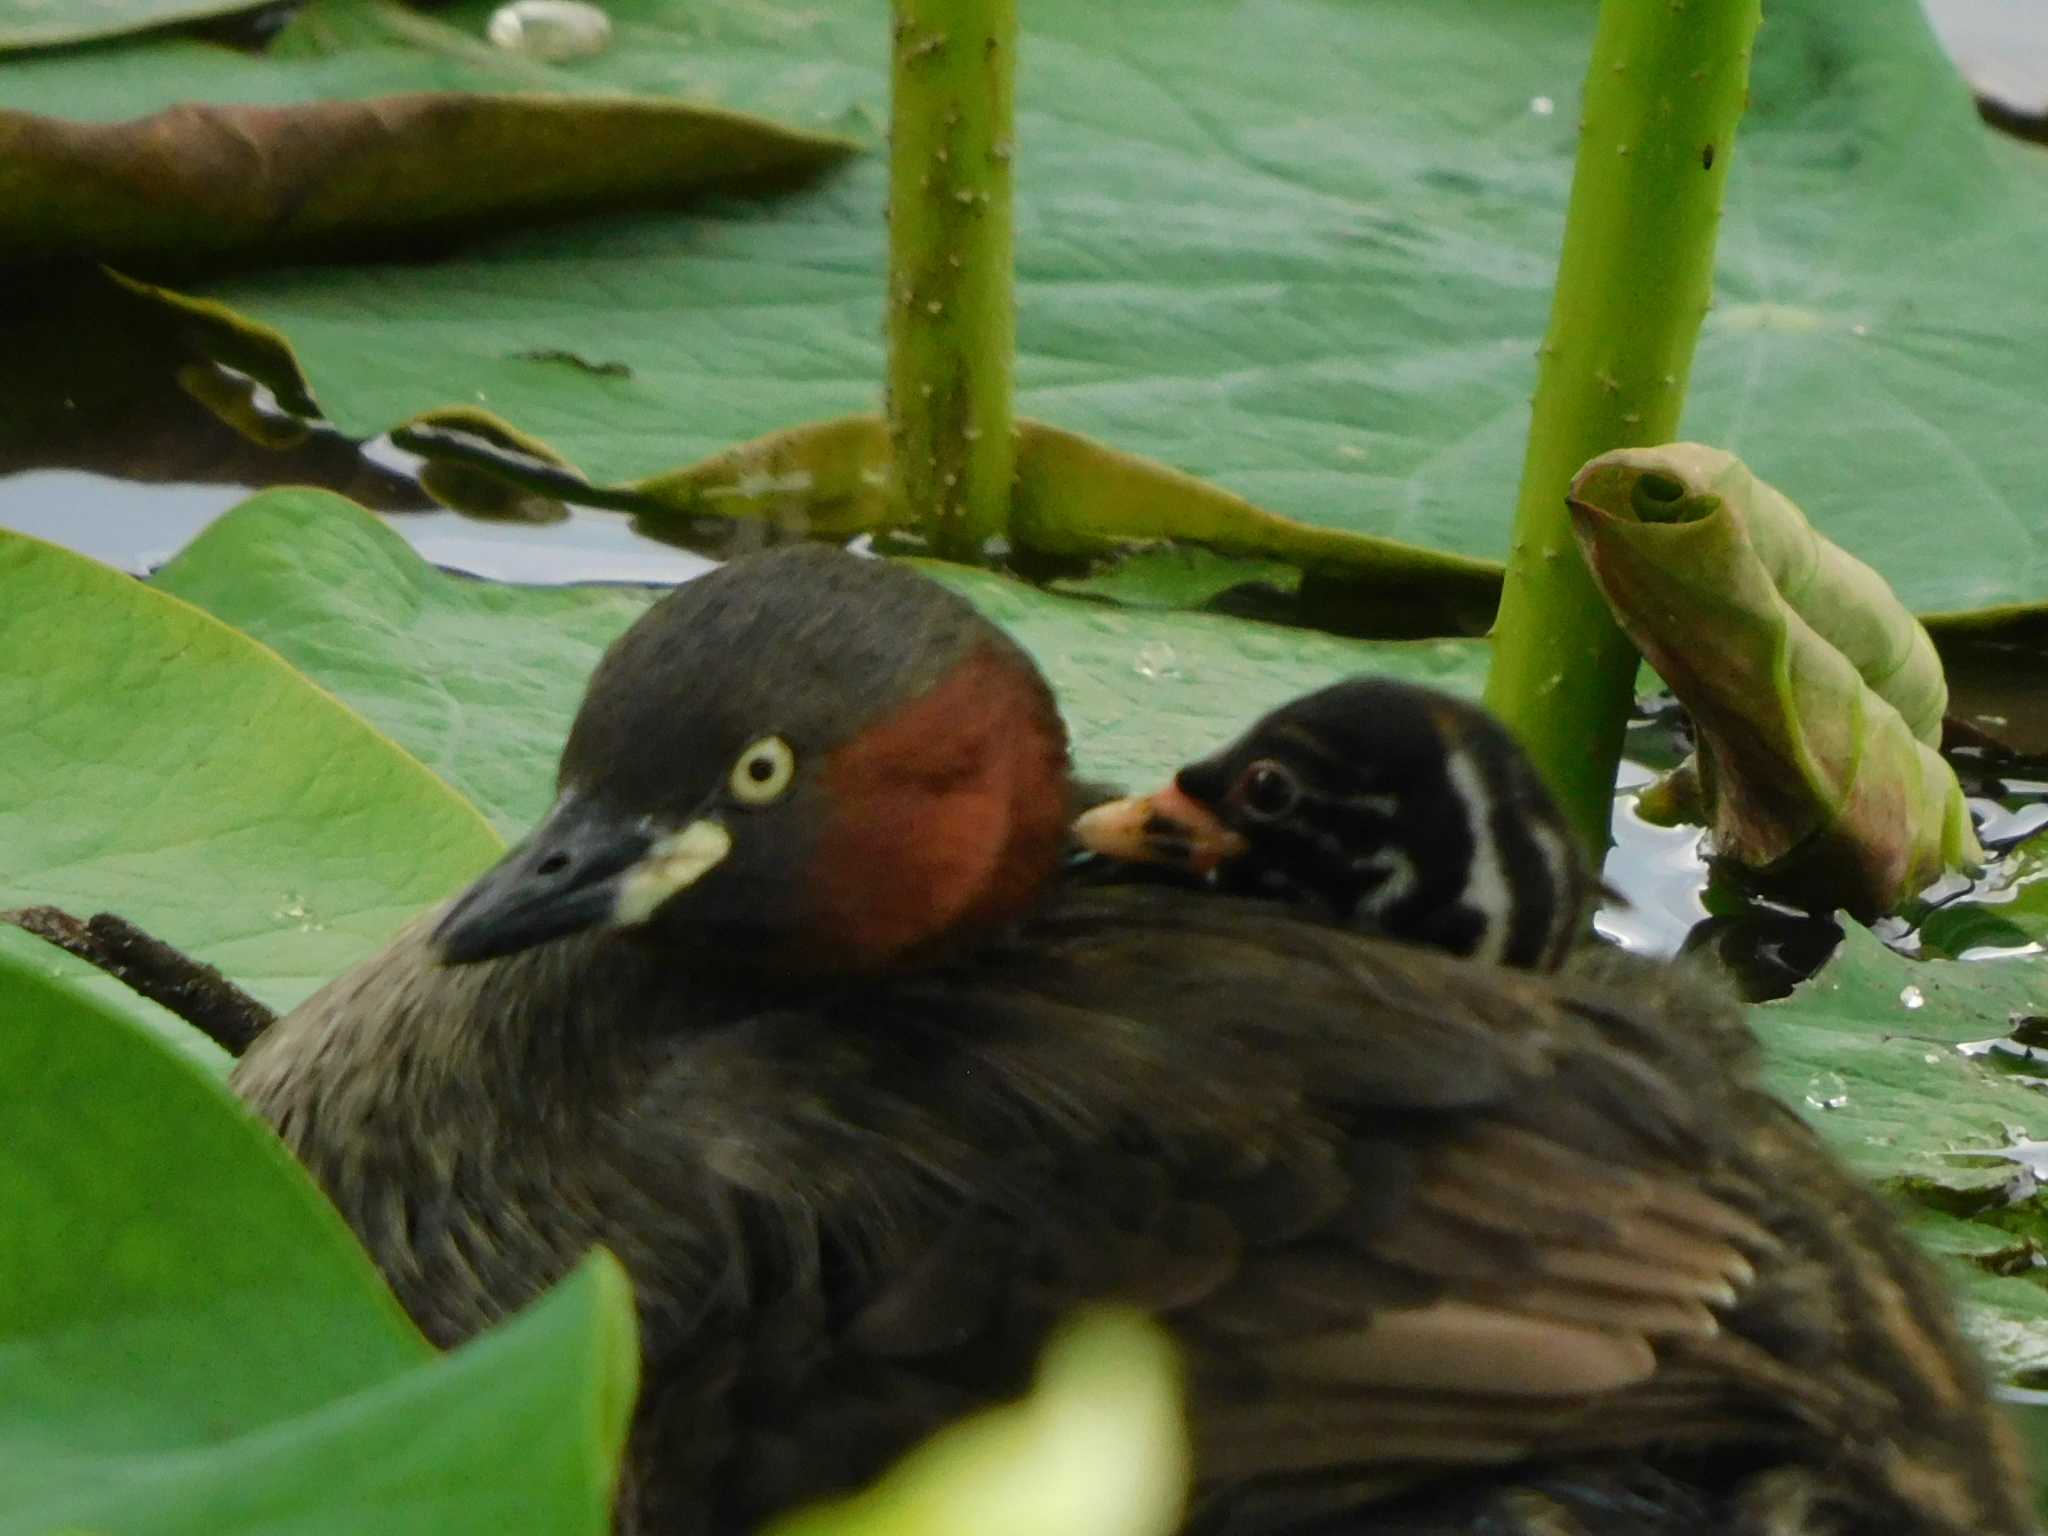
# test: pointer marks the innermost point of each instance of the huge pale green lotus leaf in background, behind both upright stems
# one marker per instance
(1299, 251)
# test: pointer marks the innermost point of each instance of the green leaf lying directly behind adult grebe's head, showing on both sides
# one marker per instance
(480, 681)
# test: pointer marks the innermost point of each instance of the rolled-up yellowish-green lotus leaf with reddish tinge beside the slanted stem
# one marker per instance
(1818, 695)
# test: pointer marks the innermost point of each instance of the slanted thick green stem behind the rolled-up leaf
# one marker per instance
(1662, 101)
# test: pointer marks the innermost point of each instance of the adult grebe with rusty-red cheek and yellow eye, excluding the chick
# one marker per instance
(1447, 1246)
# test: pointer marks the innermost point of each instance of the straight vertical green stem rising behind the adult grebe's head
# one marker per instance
(951, 284)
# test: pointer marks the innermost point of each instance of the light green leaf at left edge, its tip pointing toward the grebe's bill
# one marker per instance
(159, 765)
